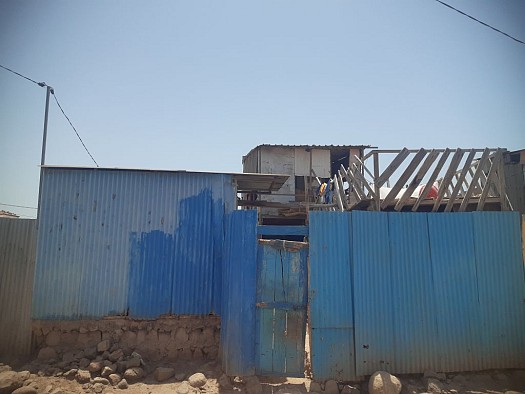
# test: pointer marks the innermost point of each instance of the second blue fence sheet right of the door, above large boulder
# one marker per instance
(373, 291)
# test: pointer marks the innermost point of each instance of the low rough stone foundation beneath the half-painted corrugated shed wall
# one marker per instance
(168, 338)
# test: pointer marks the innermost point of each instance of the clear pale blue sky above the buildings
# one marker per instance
(196, 84)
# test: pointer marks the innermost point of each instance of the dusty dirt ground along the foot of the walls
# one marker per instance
(489, 382)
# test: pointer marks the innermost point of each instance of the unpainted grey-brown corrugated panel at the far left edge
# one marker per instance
(17, 265)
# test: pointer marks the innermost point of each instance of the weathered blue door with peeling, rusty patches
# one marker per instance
(280, 332)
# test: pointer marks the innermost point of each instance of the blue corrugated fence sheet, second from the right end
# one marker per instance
(455, 291)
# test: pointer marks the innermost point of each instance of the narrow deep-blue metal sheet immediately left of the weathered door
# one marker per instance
(239, 293)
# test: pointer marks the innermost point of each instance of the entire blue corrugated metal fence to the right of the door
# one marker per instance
(410, 292)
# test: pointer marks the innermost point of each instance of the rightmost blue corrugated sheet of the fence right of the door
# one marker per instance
(501, 289)
